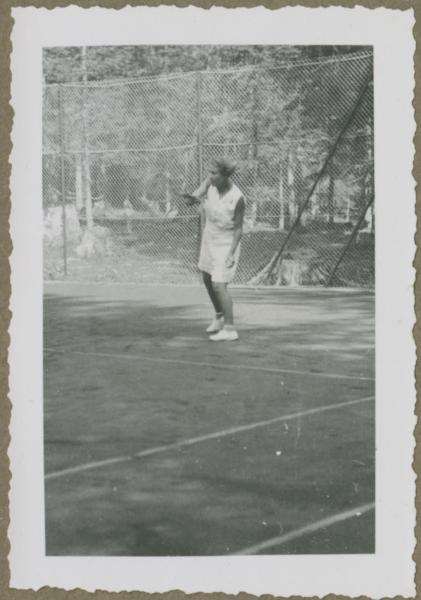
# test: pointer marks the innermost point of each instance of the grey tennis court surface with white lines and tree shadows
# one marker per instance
(161, 442)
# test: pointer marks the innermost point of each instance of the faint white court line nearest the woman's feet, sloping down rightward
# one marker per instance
(190, 363)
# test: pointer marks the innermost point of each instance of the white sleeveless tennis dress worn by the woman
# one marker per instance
(218, 233)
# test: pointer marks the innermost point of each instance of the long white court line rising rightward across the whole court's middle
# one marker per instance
(202, 438)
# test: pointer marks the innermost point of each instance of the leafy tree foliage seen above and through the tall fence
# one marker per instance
(277, 122)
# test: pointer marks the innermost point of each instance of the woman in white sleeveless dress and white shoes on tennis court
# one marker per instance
(223, 209)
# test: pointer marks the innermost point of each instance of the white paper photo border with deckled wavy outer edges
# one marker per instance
(390, 571)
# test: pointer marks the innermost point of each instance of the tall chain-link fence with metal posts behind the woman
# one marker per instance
(117, 156)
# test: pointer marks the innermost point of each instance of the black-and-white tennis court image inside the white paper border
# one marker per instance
(209, 231)
